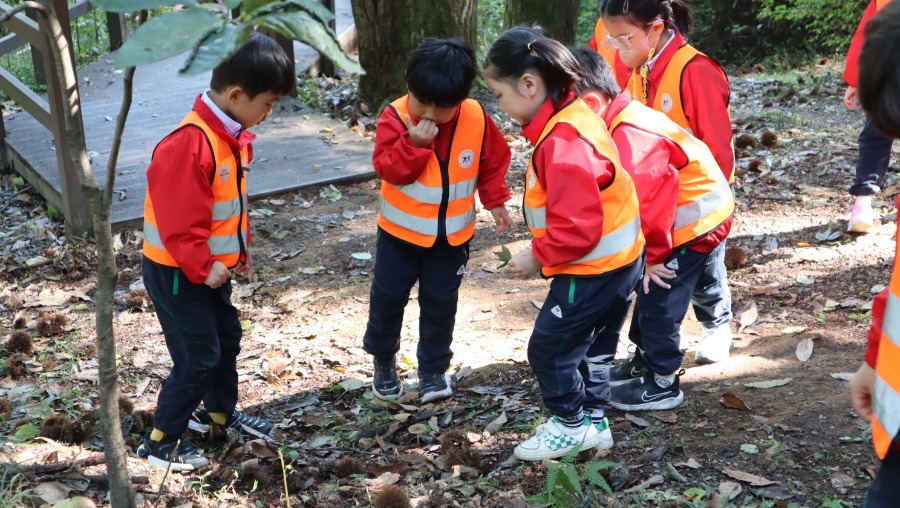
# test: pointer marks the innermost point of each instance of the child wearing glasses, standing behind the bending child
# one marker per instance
(671, 76)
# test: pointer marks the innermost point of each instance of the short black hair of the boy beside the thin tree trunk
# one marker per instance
(259, 66)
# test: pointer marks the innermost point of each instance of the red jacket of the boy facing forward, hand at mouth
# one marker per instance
(400, 162)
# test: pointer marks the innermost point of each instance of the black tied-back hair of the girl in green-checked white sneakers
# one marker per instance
(523, 49)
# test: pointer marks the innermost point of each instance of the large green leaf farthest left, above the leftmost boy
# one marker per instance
(167, 35)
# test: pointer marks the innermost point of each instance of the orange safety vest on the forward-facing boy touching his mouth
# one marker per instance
(445, 190)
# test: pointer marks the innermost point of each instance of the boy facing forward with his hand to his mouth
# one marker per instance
(433, 148)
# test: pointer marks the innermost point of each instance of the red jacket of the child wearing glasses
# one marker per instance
(705, 95)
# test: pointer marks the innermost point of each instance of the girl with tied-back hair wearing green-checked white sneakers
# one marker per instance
(582, 210)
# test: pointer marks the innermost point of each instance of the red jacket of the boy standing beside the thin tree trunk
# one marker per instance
(178, 180)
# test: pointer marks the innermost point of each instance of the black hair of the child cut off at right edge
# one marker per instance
(879, 70)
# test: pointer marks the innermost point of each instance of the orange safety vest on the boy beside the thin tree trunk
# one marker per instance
(228, 235)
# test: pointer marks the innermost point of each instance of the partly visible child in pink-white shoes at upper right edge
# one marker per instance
(874, 147)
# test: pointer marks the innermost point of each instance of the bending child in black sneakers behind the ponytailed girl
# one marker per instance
(686, 210)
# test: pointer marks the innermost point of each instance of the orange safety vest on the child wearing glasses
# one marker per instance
(668, 96)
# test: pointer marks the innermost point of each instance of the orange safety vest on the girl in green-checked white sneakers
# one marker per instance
(621, 241)
